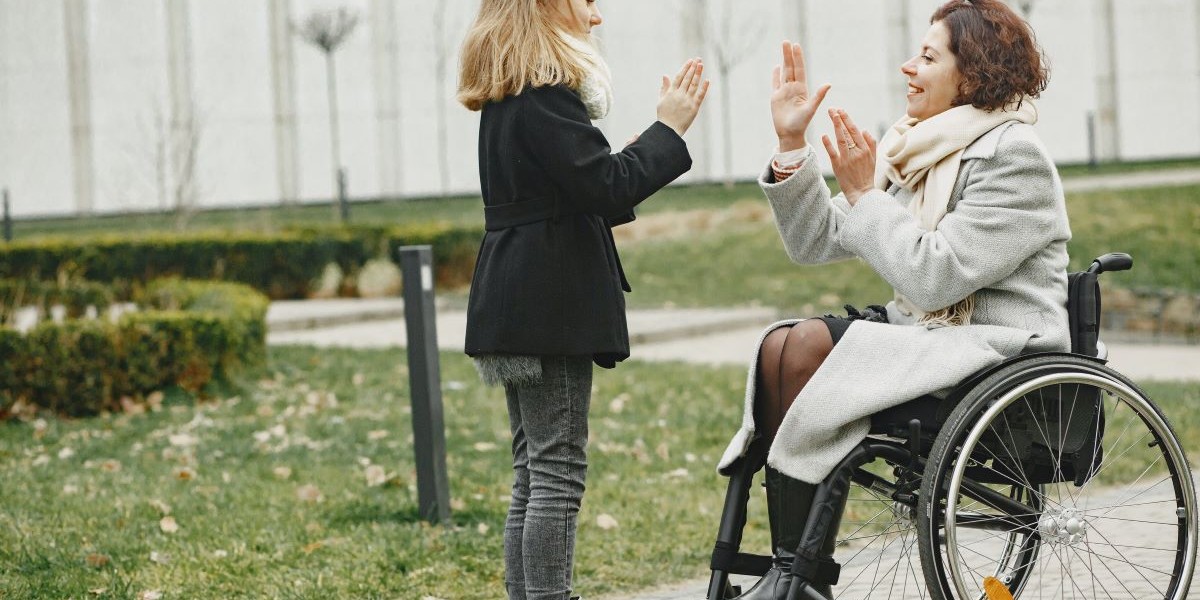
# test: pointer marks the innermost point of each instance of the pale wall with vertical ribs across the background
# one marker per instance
(260, 111)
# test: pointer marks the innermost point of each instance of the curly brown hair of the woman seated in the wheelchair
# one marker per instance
(999, 58)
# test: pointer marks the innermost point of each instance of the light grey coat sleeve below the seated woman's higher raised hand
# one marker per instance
(808, 219)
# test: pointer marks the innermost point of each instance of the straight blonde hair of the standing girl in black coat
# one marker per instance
(514, 44)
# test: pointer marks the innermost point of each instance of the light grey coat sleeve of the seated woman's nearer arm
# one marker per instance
(1010, 209)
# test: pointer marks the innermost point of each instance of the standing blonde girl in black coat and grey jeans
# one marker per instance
(548, 296)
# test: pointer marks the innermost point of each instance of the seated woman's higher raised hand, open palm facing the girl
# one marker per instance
(791, 105)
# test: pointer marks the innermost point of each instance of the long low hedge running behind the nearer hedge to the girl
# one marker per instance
(279, 265)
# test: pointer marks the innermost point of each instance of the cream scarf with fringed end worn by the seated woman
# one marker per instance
(925, 158)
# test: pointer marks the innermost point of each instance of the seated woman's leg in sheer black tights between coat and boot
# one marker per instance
(788, 359)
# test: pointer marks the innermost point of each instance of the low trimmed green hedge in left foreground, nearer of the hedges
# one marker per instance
(189, 334)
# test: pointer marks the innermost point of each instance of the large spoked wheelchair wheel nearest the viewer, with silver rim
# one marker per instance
(1061, 479)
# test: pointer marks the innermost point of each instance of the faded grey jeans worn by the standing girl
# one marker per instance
(550, 435)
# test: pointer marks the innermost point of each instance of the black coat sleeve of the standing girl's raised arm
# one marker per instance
(578, 158)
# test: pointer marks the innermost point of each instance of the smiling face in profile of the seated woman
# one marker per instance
(933, 75)
